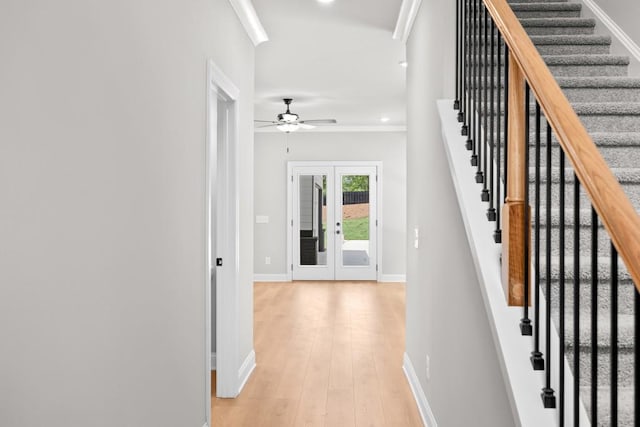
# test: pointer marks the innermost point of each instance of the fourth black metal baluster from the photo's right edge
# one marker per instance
(576, 301)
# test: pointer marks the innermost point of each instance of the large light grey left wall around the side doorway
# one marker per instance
(102, 148)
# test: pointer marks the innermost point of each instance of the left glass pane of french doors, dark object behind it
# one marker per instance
(313, 222)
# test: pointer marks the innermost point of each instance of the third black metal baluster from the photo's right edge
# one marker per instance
(594, 317)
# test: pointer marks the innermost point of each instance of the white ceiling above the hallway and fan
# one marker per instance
(335, 60)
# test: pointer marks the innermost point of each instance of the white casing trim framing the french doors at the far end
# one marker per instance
(335, 163)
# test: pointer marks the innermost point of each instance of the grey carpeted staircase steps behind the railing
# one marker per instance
(607, 101)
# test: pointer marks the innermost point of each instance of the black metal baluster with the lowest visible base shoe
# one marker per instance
(548, 397)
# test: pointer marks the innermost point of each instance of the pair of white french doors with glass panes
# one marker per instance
(334, 222)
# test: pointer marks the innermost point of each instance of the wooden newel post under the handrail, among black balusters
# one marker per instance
(514, 209)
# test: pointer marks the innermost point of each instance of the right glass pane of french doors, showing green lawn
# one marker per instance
(355, 220)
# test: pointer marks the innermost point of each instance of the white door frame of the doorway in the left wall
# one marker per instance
(221, 89)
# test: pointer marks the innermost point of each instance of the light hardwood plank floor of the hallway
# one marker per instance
(328, 354)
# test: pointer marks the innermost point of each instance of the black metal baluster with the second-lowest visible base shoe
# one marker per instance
(537, 361)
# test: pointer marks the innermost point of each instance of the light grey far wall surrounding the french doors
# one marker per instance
(271, 187)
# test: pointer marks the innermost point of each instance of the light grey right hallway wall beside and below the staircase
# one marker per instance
(446, 318)
